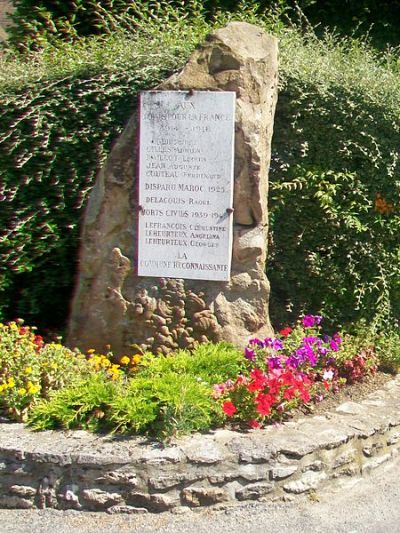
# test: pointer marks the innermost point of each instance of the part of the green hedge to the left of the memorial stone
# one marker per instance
(59, 114)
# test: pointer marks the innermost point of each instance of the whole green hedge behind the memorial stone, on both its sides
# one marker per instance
(334, 247)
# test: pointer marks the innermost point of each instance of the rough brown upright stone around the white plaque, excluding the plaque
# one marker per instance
(112, 305)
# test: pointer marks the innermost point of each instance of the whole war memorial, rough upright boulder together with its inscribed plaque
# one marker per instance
(119, 302)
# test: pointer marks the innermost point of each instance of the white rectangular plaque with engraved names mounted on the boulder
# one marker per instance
(186, 184)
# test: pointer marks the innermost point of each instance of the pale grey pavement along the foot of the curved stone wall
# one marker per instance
(371, 505)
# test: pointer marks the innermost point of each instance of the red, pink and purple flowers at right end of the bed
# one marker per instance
(300, 366)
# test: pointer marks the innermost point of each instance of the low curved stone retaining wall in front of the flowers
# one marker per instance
(78, 470)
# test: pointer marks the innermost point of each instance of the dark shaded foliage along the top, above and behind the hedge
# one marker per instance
(37, 20)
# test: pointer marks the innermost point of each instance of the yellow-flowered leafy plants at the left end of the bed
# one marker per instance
(31, 369)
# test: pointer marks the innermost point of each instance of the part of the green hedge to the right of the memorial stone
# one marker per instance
(335, 183)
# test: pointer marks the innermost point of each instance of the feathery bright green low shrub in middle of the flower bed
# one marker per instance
(169, 396)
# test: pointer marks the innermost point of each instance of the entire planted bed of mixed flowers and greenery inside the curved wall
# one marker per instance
(52, 387)
